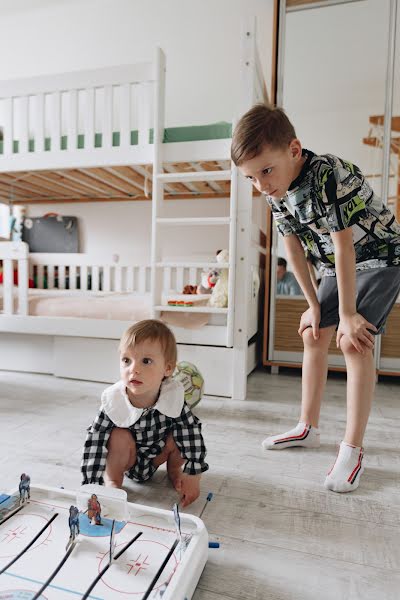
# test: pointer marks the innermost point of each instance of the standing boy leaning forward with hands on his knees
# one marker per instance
(324, 205)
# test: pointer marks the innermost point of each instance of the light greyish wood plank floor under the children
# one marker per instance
(282, 536)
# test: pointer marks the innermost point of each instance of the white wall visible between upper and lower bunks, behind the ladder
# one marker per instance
(123, 228)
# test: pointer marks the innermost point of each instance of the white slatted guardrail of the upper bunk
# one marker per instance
(51, 121)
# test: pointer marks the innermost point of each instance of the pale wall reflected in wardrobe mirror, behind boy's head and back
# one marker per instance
(334, 76)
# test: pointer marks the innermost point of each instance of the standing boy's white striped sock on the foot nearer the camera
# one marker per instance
(346, 472)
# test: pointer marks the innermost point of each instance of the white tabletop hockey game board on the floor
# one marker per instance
(127, 578)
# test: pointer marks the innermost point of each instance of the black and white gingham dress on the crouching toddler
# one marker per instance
(150, 432)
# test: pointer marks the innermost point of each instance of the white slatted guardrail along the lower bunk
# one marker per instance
(80, 273)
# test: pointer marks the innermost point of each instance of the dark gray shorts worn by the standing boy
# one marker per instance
(377, 291)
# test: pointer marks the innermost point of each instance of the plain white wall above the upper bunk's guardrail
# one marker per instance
(201, 41)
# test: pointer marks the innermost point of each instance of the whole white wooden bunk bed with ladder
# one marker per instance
(85, 348)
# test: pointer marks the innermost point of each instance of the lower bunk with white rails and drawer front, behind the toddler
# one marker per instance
(70, 323)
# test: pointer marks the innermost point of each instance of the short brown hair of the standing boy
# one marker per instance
(262, 125)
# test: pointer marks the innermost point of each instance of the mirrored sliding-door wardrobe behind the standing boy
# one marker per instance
(338, 78)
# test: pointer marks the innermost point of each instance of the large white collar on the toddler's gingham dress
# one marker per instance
(115, 403)
